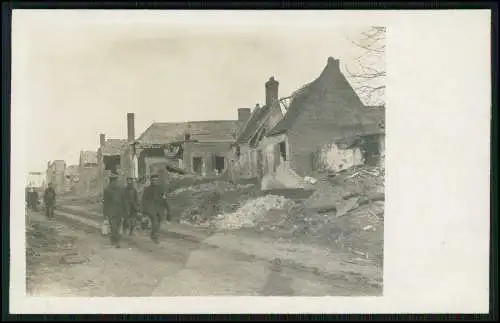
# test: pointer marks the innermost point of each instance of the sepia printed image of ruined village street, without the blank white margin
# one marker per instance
(170, 159)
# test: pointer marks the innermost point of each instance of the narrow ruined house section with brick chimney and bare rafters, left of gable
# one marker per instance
(244, 154)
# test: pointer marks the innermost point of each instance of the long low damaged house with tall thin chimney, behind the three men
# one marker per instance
(198, 147)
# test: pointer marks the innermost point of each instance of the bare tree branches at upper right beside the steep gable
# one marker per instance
(369, 77)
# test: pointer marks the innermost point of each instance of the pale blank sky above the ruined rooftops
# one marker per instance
(76, 74)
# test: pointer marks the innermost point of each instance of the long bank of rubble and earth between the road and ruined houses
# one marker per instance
(345, 211)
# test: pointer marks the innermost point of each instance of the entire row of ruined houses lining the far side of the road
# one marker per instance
(322, 126)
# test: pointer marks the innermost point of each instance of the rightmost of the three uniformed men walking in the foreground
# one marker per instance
(154, 205)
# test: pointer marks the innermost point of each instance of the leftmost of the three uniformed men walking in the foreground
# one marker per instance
(113, 209)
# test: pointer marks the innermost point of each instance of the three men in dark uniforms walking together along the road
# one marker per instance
(121, 207)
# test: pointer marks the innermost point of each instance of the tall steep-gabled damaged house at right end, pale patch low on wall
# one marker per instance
(326, 126)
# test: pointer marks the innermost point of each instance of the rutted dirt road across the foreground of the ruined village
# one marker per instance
(175, 267)
